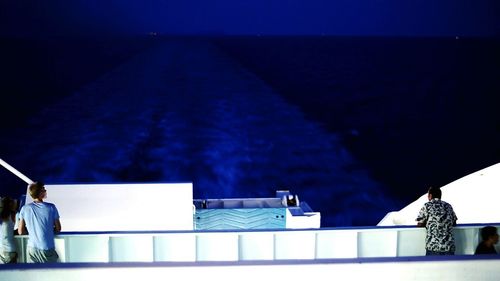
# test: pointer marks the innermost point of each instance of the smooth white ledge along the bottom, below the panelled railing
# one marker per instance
(454, 268)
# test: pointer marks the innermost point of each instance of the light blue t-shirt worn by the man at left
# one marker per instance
(39, 218)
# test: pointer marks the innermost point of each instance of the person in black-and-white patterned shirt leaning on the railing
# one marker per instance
(438, 217)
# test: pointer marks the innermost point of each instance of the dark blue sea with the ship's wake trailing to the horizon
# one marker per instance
(357, 127)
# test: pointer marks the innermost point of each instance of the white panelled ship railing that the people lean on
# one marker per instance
(266, 245)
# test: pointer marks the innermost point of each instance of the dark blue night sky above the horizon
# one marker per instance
(329, 17)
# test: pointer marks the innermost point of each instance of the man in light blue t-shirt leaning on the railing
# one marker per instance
(41, 219)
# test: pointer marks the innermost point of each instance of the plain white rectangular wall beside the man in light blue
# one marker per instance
(122, 207)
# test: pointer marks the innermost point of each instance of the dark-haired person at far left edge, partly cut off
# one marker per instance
(8, 253)
